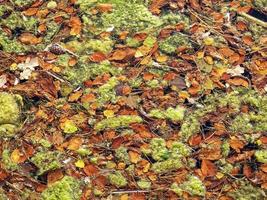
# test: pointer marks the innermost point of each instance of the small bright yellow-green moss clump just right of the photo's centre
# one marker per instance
(174, 114)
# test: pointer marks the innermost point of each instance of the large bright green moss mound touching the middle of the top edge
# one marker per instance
(132, 17)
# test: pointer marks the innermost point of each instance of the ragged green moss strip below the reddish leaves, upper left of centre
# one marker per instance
(86, 71)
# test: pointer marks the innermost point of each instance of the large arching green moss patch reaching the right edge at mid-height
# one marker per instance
(254, 121)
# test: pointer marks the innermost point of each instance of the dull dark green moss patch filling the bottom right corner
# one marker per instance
(246, 191)
